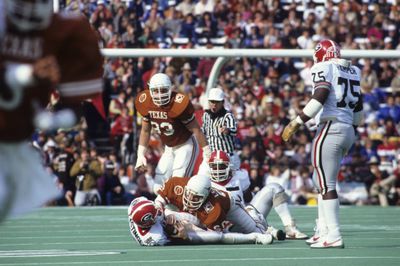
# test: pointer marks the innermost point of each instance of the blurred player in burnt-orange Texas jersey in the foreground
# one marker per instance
(39, 51)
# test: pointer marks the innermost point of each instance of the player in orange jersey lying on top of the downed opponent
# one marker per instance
(216, 209)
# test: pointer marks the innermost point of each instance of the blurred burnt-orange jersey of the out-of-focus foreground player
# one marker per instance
(69, 39)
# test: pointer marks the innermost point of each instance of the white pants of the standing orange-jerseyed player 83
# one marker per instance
(177, 161)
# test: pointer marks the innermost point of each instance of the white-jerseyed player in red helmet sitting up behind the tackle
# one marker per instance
(271, 195)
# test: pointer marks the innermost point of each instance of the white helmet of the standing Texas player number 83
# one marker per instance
(160, 87)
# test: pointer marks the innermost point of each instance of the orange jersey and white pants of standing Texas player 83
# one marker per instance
(169, 122)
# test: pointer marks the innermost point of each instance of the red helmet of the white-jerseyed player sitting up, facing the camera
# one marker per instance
(219, 164)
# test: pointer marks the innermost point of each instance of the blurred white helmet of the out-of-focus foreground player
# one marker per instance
(28, 15)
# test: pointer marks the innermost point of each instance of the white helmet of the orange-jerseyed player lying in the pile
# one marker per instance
(196, 192)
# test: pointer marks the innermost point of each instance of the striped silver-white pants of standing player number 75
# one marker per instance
(331, 143)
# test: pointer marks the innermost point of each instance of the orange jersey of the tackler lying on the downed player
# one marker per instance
(212, 213)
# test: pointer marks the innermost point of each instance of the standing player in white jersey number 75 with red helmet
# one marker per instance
(336, 105)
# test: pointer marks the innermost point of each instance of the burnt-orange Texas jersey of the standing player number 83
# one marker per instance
(168, 121)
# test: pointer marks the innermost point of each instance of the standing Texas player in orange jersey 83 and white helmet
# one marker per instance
(171, 115)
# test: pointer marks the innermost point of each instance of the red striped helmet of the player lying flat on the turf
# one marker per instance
(143, 212)
